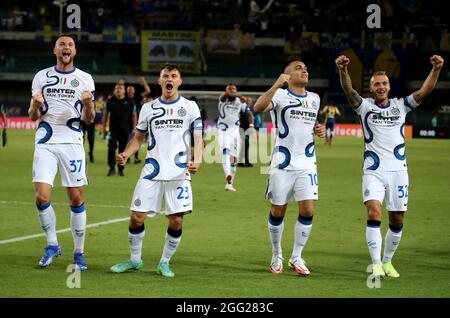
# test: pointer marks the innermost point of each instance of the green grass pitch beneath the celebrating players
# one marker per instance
(225, 250)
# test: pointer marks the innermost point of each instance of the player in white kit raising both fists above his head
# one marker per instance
(385, 171)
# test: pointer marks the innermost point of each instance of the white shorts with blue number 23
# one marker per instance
(148, 196)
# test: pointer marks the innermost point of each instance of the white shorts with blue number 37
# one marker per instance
(69, 159)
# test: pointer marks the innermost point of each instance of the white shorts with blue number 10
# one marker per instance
(287, 184)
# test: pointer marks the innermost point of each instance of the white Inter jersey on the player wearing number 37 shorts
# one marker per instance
(61, 112)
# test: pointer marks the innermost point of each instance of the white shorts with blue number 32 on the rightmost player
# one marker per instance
(390, 185)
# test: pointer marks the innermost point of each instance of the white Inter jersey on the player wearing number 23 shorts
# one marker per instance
(169, 125)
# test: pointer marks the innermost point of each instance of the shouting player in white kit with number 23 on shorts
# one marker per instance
(169, 121)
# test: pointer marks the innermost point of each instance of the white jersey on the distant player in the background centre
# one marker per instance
(229, 112)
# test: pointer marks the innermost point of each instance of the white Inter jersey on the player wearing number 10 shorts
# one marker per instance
(294, 117)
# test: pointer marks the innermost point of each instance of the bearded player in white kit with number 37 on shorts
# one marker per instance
(62, 97)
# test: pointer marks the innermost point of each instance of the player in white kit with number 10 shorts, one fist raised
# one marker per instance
(293, 171)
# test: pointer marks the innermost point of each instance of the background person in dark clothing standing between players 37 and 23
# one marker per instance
(120, 110)
